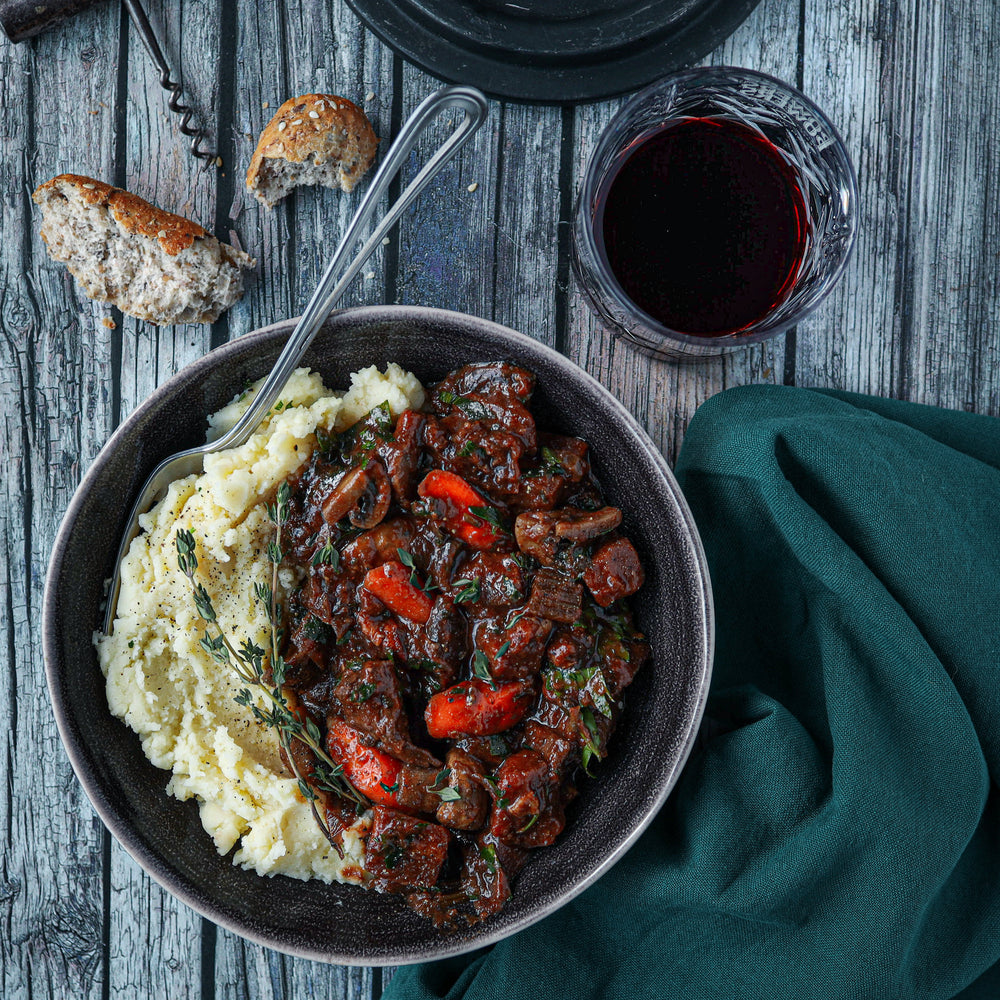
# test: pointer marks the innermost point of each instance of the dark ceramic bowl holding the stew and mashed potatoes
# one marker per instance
(339, 923)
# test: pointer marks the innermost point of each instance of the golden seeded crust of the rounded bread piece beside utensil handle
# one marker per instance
(320, 128)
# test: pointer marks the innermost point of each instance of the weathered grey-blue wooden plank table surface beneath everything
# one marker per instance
(912, 85)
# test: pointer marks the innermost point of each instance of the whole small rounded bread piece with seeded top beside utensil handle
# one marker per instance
(313, 139)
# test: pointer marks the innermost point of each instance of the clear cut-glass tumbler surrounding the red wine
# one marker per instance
(800, 134)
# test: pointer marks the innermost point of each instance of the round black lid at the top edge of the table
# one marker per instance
(553, 51)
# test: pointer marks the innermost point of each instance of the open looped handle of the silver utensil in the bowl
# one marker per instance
(336, 278)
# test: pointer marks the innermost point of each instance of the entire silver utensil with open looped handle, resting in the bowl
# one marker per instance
(331, 287)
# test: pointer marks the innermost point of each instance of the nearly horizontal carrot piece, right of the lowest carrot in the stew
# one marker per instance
(473, 708)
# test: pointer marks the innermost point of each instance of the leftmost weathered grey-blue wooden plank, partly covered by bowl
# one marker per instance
(57, 405)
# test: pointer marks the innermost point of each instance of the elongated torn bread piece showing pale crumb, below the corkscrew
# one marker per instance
(151, 264)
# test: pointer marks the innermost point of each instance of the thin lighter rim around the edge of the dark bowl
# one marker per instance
(150, 861)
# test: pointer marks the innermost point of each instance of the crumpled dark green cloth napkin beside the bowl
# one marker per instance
(836, 832)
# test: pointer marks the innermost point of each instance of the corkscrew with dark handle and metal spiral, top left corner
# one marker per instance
(21, 19)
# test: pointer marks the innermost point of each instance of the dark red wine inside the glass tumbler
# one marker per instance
(704, 226)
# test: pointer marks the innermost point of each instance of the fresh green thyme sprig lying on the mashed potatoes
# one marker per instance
(265, 671)
